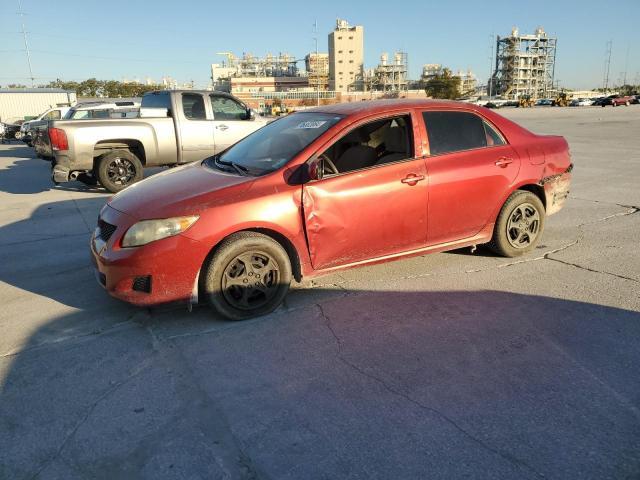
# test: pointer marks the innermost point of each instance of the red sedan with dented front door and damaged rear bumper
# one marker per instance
(329, 188)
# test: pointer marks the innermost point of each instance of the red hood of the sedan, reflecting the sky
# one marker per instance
(180, 191)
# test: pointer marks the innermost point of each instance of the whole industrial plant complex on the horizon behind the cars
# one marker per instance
(523, 67)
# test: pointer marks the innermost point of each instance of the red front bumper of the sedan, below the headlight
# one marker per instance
(172, 264)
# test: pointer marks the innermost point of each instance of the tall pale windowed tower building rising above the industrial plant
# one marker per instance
(346, 57)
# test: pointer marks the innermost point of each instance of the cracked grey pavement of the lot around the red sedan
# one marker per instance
(451, 365)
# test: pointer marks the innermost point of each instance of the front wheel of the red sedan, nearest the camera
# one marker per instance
(225, 274)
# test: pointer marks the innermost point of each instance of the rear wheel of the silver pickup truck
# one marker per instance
(117, 170)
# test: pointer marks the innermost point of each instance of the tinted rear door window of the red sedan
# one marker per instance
(454, 131)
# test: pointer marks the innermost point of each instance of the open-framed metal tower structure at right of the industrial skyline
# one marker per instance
(525, 65)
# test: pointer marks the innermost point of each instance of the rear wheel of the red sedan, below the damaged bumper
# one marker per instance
(519, 225)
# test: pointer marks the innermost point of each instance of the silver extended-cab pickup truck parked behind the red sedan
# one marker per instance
(174, 127)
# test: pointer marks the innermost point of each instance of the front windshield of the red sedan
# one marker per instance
(274, 145)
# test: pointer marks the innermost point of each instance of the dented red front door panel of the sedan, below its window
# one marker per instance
(366, 214)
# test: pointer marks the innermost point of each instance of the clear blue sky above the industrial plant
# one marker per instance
(118, 39)
